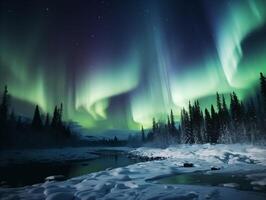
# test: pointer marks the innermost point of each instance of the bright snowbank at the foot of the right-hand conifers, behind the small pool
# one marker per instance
(207, 155)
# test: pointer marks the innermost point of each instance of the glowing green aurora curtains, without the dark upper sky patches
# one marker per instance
(150, 76)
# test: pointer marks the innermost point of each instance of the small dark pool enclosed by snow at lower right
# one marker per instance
(237, 181)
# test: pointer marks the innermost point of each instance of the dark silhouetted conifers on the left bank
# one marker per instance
(18, 131)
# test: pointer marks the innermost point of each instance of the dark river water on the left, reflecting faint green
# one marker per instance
(31, 173)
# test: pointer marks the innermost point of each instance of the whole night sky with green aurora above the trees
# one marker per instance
(118, 64)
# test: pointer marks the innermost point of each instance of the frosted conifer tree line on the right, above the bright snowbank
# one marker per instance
(240, 121)
